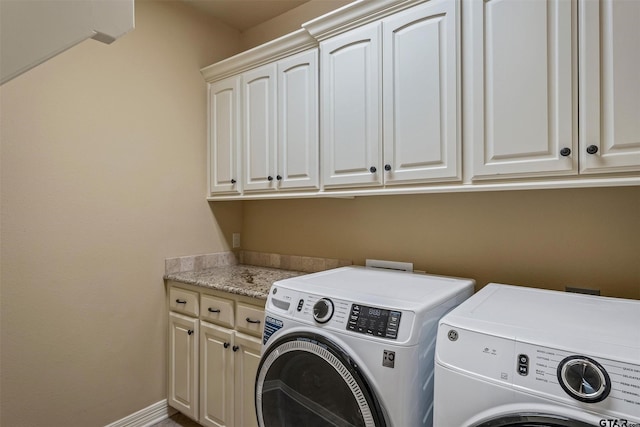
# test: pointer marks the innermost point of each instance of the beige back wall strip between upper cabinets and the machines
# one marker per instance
(586, 238)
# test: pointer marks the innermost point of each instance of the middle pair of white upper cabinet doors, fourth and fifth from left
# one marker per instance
(399, 74)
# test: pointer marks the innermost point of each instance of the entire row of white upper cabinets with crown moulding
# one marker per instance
(419, 96)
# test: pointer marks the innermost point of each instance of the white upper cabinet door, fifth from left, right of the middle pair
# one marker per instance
(421, 138)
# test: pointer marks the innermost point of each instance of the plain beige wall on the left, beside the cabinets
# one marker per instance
(103, 176)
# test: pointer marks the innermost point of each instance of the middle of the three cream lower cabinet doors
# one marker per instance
(216, 367)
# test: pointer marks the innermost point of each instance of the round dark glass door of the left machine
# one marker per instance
(307, 380)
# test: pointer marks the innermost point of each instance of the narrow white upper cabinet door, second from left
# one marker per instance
(259, 108)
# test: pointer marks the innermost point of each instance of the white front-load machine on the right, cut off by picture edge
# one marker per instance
(514, 356)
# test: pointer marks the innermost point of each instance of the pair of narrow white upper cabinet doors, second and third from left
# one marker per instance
(280, 117)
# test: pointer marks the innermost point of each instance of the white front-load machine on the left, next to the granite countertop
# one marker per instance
(352, 346)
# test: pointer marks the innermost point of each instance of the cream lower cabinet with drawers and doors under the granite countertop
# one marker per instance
(214, 357)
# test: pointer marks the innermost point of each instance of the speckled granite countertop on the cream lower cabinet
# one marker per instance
(247, 280)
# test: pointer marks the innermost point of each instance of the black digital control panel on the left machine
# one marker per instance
(374, 321)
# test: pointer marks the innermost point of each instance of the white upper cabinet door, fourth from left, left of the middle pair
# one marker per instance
(350, 73)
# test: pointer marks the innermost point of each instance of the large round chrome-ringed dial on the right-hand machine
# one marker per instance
(584, 379)
